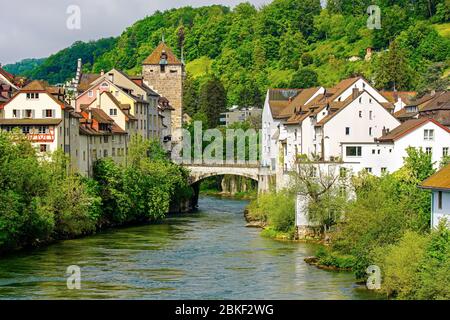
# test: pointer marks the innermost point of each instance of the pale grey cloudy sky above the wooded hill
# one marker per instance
(36, 29)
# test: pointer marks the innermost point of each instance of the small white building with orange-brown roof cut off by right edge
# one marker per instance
(439, 183)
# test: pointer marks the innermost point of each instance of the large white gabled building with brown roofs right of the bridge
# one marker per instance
(316, 122)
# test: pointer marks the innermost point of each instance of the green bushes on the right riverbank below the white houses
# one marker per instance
(387, 223)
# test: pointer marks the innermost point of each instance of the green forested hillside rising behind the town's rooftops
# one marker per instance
(288, 43)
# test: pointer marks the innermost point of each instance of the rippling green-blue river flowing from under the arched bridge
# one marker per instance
(209, 254)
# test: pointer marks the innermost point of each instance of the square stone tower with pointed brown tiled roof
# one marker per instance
(164, 73)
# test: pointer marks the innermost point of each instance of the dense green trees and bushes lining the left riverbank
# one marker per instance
(42, 200)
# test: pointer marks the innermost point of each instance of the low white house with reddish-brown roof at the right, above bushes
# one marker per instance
(387, 153)
